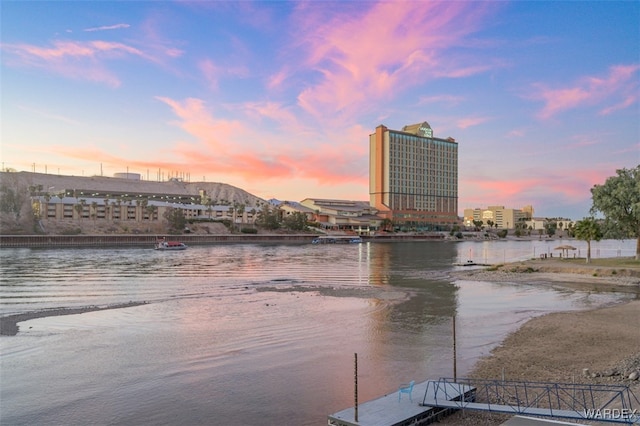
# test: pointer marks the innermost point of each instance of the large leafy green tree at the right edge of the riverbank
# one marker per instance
(618, 199)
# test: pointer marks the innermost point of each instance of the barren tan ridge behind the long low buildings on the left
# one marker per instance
(221, 193)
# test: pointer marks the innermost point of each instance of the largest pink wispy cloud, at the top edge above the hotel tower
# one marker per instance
(382, 50)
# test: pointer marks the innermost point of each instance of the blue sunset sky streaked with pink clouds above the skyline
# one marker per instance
(279, 98)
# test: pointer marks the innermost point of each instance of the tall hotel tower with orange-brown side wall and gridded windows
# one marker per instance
(413, 177)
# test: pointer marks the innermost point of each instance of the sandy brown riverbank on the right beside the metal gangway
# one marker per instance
(600, 346)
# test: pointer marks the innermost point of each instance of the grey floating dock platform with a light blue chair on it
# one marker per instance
(389, 411)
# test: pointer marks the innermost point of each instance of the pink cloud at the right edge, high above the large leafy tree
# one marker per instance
(620, 81)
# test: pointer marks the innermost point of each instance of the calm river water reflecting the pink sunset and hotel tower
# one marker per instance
(251, 334)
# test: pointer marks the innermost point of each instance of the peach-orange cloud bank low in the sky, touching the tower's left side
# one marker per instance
(233, 148)
